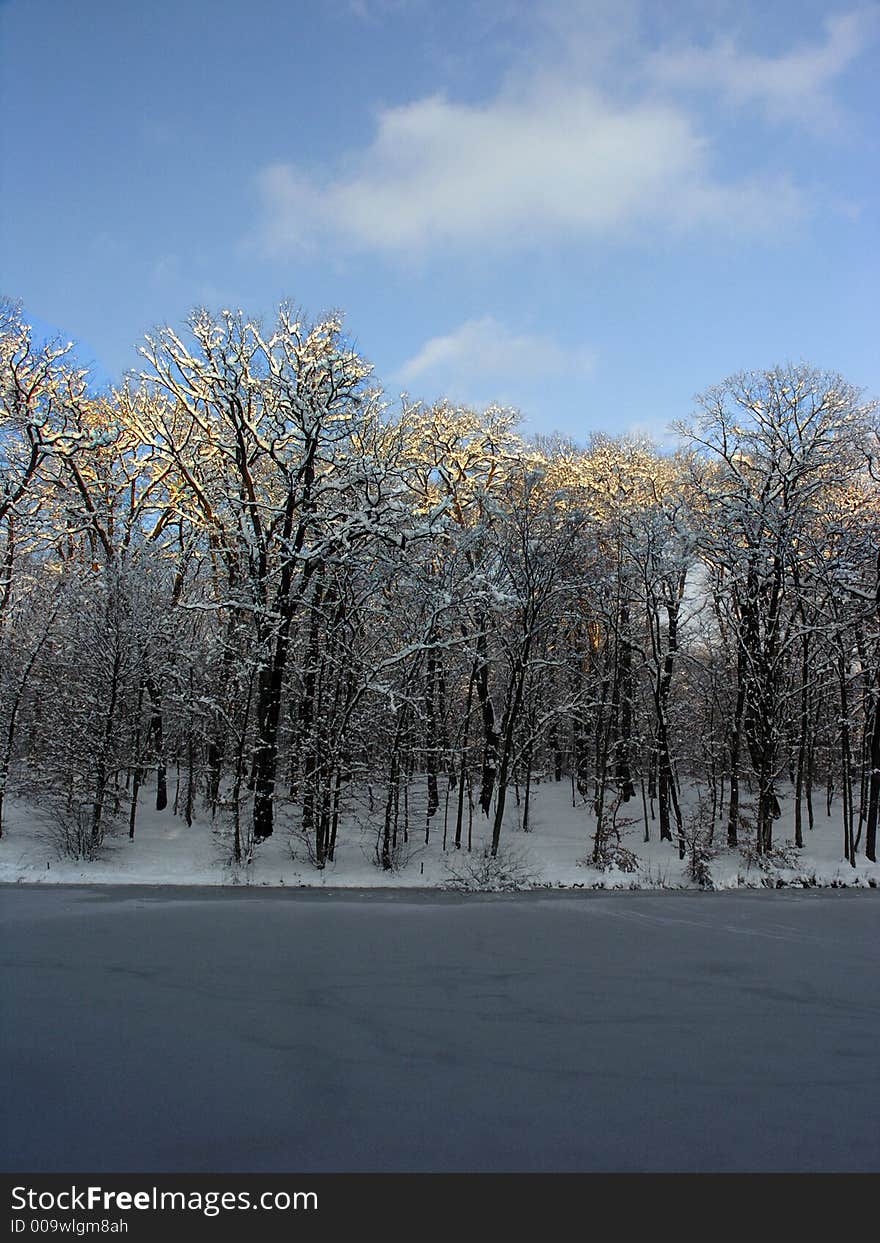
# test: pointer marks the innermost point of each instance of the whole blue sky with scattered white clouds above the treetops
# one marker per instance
(587, 211)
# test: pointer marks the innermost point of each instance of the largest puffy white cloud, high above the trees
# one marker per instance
(559, 162)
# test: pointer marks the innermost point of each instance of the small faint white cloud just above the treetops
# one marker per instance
(482, 354)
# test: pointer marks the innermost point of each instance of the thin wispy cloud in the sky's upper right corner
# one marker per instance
(794, 86)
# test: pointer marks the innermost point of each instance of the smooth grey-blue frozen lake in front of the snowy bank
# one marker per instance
(161, 1030)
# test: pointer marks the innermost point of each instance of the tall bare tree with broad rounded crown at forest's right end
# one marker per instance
(774, 446)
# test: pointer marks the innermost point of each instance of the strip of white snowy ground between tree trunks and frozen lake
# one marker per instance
(555, 853)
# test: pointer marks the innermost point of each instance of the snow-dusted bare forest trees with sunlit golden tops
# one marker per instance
(249, 586)
